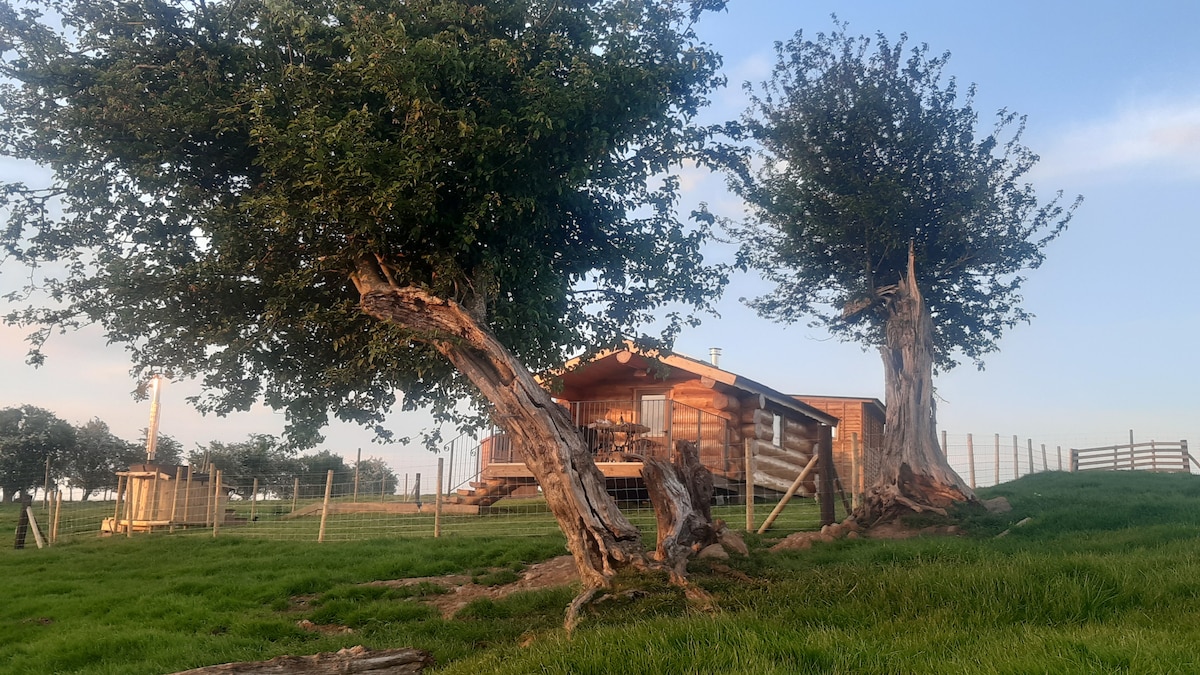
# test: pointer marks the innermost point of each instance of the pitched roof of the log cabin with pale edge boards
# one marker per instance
(579, 373)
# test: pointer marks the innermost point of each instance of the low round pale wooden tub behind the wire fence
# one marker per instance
(151, 495)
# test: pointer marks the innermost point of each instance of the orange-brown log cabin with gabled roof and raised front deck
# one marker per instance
(628, 403)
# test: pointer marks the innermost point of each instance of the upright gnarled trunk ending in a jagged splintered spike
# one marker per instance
(911, 473)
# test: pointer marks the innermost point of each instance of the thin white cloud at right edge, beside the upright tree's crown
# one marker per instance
(1161, 138)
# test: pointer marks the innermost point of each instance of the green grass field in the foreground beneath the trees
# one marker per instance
(1105, 578)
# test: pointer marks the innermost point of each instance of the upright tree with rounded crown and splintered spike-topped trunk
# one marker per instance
(881, 211)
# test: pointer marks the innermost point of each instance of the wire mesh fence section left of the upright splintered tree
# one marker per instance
(317, 510)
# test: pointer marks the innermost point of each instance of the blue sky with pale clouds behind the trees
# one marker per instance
(1113, 97)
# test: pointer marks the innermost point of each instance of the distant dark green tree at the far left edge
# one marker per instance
(29, 438)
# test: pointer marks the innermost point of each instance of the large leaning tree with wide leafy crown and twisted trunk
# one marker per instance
(321, 204)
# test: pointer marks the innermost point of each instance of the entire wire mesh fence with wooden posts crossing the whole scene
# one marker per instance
(425, 500)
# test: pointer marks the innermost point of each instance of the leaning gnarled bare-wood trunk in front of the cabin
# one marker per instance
(601, 539)
